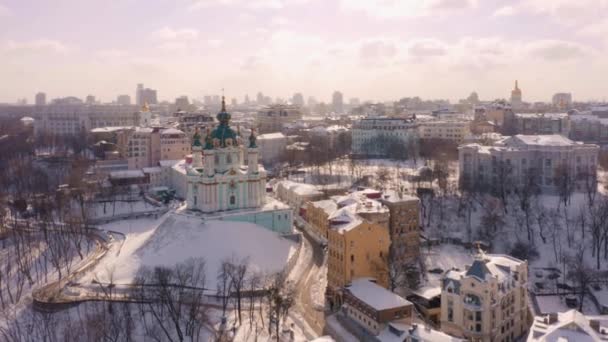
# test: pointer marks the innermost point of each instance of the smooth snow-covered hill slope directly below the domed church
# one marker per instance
(174, 238)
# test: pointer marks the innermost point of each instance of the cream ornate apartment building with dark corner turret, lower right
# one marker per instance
(488, 301)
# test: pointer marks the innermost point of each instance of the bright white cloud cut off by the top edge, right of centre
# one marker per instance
(407, 8)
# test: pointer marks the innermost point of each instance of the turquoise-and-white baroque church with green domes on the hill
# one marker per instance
(217, 179)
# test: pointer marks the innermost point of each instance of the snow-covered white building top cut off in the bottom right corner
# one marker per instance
(569, 326)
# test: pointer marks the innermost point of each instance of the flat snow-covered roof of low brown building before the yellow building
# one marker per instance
(375, 295)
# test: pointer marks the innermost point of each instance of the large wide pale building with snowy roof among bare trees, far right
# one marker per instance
(522, 159)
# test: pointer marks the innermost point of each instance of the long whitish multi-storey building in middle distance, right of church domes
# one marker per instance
(375, 136)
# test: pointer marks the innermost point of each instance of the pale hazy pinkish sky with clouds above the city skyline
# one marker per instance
(376, 50)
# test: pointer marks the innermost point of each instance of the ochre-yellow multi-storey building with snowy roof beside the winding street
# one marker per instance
(357, 248)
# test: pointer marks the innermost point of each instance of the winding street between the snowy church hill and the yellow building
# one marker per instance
(315, 260)
